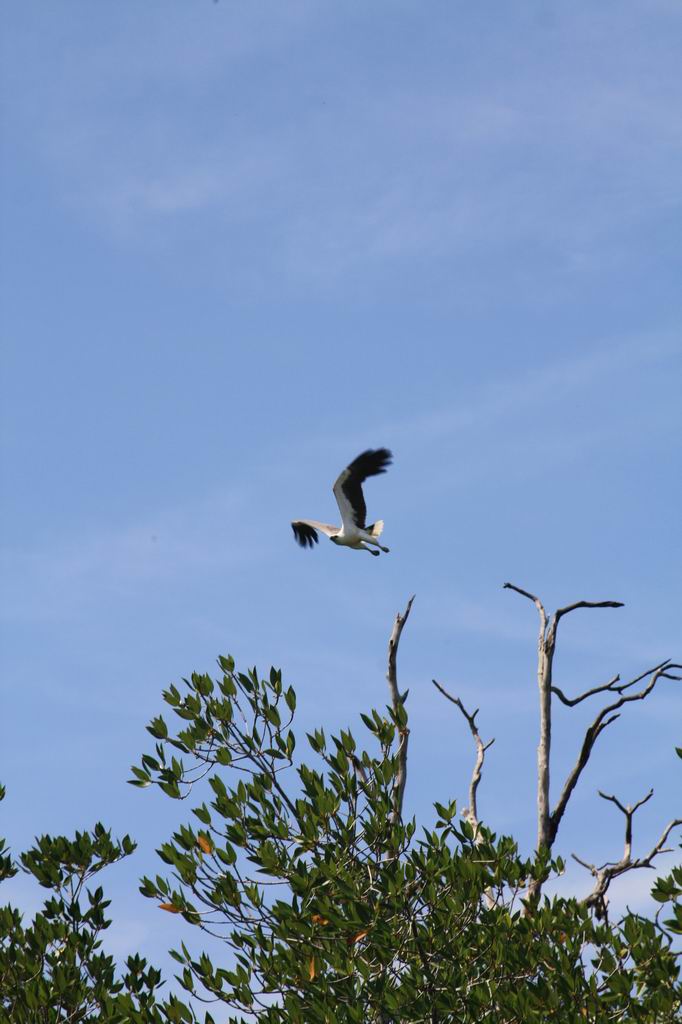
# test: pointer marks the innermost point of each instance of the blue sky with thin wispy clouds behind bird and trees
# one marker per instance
(244, 242)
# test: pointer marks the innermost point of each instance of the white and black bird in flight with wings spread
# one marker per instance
(349, 493)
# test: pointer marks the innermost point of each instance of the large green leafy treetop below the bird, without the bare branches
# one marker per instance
(334, 911)
